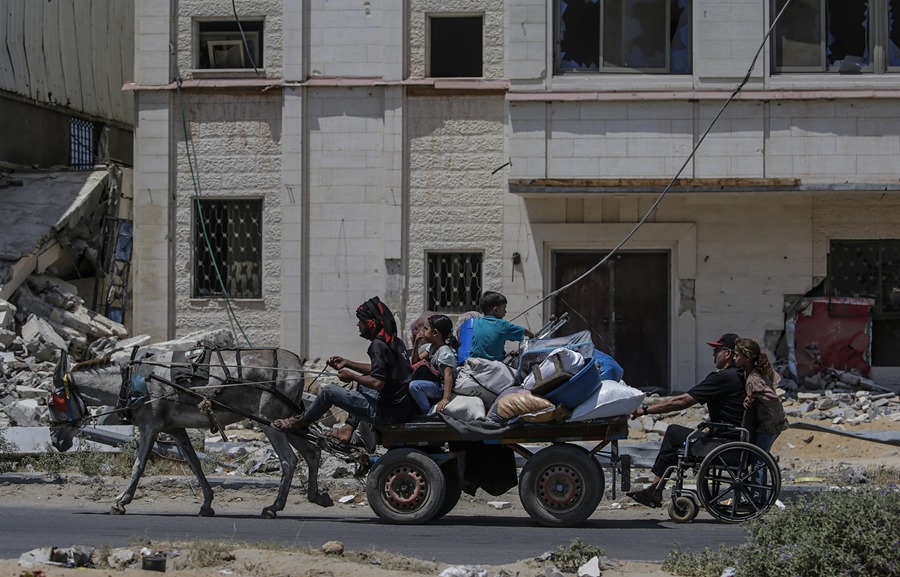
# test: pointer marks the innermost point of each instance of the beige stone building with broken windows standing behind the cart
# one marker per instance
(427, 152)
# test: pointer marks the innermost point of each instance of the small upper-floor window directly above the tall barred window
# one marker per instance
(221, 44)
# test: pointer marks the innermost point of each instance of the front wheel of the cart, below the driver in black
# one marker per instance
(405, 486)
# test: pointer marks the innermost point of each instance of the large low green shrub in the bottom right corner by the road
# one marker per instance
(830, 534)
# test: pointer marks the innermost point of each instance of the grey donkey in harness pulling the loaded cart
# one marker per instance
(268, 386)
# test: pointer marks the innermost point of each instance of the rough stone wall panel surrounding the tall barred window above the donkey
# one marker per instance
(236, 153)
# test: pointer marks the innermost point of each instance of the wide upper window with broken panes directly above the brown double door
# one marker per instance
(652, 36)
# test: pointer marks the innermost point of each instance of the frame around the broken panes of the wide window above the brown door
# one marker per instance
(604, 66)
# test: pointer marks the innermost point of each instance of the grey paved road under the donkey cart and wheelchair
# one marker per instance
(636, 534)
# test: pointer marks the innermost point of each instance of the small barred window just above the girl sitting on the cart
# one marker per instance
(453, 281)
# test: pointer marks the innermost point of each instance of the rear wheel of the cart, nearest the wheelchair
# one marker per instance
(561, 485)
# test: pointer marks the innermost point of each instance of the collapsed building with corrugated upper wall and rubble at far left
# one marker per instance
(65, 189)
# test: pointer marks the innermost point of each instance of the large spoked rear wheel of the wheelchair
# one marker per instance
(738, 482)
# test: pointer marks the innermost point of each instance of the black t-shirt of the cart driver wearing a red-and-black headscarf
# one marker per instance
(390, 365)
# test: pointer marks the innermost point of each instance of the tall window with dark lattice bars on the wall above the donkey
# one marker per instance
(228, 243)
